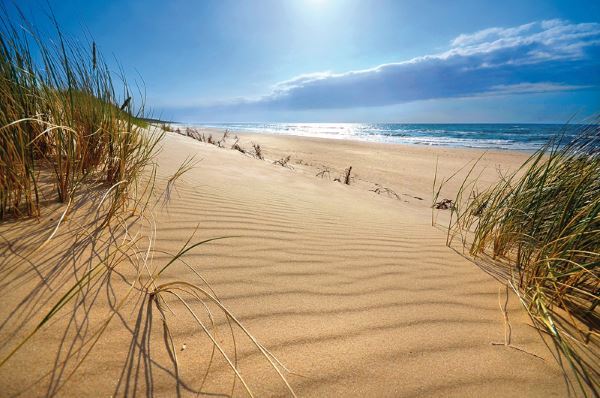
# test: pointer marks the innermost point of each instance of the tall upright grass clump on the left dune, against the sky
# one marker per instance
(62, 121)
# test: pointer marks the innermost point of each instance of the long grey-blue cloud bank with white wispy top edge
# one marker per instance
(543, 56)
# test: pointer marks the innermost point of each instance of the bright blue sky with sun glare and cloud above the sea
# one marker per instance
(348, 60)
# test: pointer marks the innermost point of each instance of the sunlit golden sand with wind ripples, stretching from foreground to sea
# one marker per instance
(354, 291)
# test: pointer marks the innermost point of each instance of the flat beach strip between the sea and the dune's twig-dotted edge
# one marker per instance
(402, 168)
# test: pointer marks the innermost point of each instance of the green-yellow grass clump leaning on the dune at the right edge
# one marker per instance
(542, 224)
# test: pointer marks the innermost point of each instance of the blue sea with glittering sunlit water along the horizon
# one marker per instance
(521, 137)
